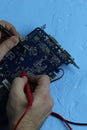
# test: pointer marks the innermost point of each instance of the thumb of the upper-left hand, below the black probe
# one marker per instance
(7, 45)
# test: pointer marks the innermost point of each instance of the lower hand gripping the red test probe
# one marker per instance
(17, 103)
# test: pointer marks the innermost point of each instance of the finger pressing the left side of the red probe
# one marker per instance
(18, 89)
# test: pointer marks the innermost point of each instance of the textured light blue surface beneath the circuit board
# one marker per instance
(66, 20)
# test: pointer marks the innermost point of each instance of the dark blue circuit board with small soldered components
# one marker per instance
(38, 53)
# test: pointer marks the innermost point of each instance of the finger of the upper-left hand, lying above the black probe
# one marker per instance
(10, 27)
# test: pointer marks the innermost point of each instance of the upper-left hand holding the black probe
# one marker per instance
(7, 43)
